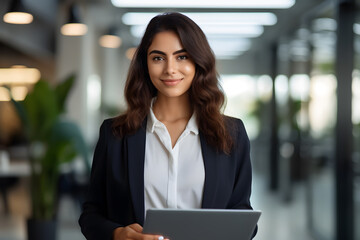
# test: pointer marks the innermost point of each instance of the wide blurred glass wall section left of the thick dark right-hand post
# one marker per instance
(306, 97)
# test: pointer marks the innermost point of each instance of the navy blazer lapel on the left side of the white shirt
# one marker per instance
(136, 156)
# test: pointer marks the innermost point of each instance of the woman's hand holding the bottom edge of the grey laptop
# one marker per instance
(134, 232)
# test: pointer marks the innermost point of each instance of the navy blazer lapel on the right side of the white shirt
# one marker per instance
(210, 157)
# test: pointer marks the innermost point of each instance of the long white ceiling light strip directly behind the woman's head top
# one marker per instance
(213, 18)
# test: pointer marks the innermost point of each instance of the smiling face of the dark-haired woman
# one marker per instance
(170, 68)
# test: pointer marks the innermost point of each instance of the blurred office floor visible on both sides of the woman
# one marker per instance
(279, 221)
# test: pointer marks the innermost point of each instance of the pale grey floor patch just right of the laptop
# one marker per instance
(280, 219)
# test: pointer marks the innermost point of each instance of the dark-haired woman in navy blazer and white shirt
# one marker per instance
(172, 148)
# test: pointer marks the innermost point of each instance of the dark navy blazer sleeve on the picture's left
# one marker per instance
(93, 222)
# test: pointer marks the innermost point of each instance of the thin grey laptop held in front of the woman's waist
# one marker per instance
(198, 224)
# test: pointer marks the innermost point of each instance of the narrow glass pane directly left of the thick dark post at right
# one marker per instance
(322, 121)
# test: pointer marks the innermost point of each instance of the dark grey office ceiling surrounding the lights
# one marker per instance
(38, 39)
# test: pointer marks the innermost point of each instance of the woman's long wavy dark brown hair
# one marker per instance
(205, 93)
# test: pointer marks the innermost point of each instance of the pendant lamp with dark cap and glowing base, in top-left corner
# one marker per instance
(17, 14)
